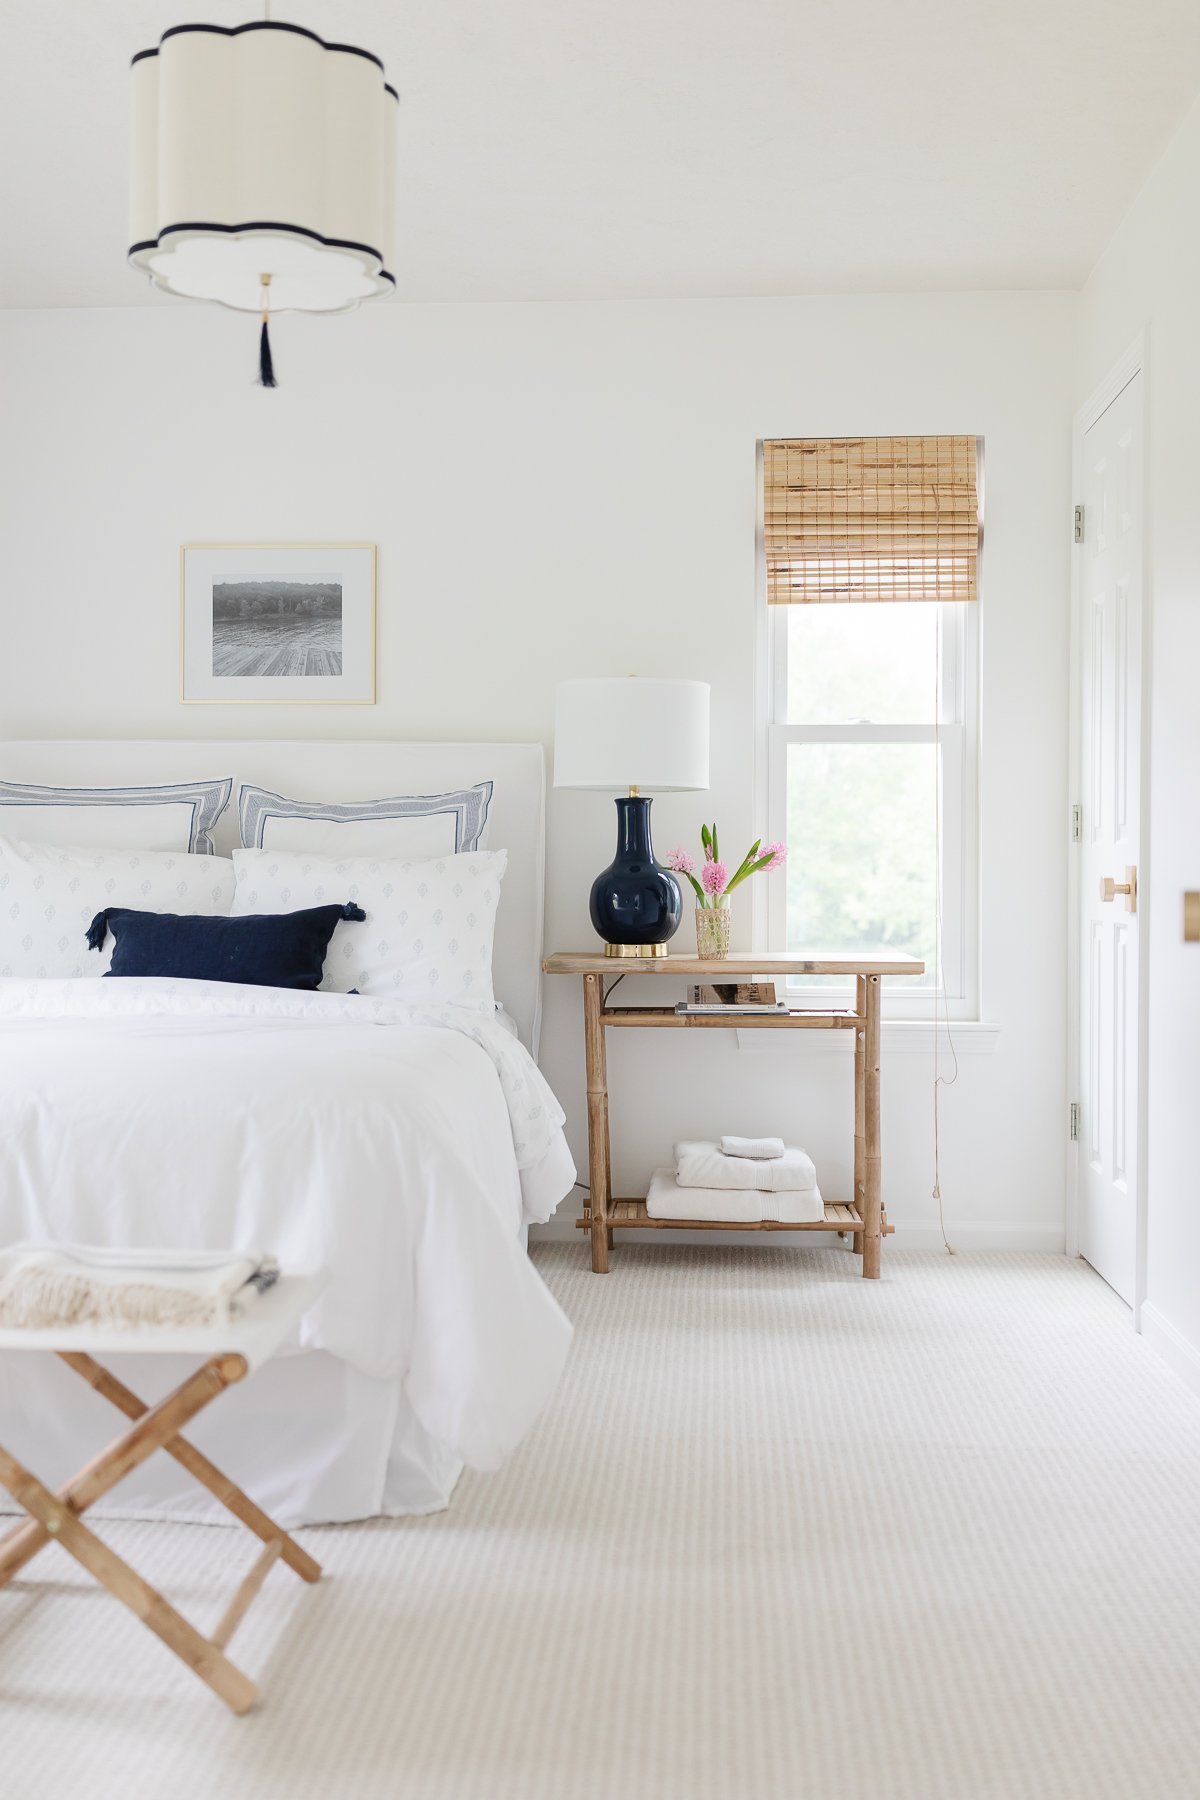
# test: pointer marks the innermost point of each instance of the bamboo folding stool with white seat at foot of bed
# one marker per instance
(231, 1354)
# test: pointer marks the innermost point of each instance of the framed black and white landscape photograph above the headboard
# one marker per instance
(278, 624)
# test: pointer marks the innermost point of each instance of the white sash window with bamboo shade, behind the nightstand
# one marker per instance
(872, 750)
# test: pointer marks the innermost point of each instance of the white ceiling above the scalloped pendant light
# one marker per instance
(627, 148)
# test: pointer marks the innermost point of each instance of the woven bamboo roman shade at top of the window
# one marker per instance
(852, 519)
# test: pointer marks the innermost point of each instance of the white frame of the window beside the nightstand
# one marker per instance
(958, 733)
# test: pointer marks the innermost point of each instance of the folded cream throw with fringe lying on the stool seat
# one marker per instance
(127, 1290)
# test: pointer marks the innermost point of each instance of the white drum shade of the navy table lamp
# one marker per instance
(629, 732)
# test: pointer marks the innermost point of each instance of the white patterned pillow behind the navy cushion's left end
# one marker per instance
(49, 897)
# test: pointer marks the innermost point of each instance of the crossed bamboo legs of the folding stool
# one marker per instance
(154, 1428)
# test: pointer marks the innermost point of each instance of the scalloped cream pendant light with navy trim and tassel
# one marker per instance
(264, 170)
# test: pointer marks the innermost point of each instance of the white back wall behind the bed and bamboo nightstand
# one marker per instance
(564, 490)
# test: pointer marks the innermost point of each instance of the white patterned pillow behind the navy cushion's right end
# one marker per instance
(429, 930)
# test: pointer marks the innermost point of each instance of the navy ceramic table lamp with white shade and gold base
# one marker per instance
(634, 733)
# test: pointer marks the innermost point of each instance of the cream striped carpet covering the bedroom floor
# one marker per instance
(784, 1534)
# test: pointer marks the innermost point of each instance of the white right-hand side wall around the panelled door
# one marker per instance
(1149, 280)
